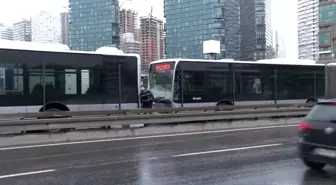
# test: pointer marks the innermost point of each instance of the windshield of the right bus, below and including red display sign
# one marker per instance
(161, 80)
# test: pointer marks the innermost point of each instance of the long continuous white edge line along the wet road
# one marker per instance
(144, 137)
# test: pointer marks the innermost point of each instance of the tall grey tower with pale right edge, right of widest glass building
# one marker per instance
(256, 29)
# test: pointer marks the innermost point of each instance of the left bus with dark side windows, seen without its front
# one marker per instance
(43, 77)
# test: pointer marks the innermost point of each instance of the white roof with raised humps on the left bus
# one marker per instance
(56, 47)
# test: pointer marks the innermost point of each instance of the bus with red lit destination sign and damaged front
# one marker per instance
(190, 82)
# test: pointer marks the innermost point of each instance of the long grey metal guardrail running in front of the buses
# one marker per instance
(90, 119)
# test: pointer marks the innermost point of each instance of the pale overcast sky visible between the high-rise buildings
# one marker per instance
(284, 14)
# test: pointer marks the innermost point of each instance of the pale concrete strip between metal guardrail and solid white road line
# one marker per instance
(33, 139)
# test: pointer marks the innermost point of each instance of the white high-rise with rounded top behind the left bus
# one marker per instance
(46, 27)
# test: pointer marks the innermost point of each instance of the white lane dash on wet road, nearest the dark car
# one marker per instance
(227, 150)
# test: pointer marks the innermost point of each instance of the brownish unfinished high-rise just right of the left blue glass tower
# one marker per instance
(128, 21)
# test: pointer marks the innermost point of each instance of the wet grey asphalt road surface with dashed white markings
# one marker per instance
(253, 157)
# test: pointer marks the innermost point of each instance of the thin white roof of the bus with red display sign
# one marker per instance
(267, 61)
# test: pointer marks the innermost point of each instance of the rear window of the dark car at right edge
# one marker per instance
(322, 113)
